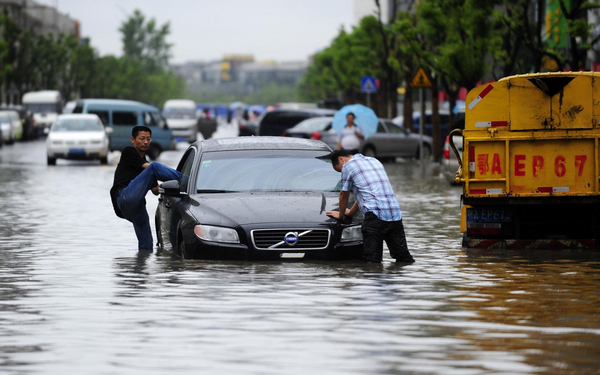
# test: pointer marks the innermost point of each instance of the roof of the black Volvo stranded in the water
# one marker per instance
(261, 143)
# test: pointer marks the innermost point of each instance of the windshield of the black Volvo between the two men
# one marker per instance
(280, 170)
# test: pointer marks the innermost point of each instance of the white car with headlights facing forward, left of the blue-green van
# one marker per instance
(77, 136)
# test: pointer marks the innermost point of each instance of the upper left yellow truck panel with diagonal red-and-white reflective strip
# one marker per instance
(492, 107)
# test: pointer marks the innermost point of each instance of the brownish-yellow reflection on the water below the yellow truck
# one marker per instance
(540, 306)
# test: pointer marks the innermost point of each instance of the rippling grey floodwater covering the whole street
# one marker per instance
(77, 297)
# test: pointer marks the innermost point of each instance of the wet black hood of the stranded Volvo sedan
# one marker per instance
(232, 209)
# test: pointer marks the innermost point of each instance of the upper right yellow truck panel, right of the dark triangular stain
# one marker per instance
(572, 107)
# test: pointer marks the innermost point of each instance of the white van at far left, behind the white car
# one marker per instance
(45, 106)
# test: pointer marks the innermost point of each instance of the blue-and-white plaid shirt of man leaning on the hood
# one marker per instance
(368, 181)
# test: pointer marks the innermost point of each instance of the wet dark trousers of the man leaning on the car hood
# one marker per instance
(375, 231)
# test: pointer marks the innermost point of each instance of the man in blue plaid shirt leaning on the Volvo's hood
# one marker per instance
(375, 198)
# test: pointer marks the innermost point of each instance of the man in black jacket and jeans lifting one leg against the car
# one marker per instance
(134, 177)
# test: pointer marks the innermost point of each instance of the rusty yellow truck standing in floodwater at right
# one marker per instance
(530, 164)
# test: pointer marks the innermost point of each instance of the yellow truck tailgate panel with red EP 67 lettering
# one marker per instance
(552, 167)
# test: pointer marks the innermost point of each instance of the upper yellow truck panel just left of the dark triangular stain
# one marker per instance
(530, 107)
